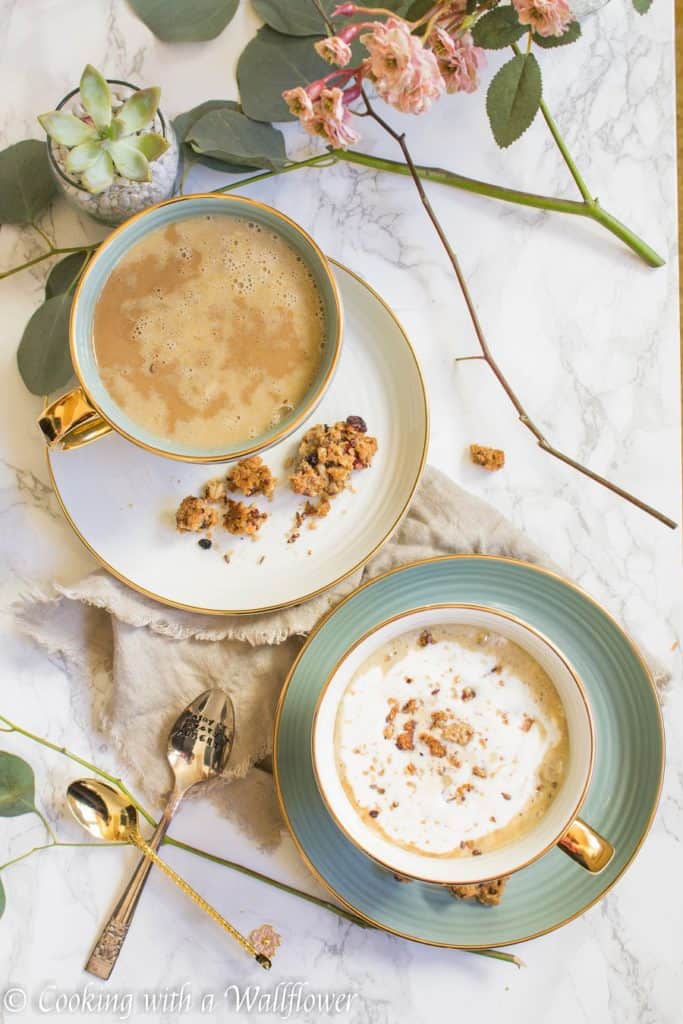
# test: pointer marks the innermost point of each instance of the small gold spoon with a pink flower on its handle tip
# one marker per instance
(106, 814)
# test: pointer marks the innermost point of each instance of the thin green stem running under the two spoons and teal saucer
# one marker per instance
(9, 727)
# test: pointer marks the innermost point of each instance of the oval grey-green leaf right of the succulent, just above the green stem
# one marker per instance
(231, 137)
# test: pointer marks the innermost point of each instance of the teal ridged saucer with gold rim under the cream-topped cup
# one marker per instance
(624, 791)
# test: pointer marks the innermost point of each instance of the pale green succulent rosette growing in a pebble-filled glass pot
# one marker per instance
(107, 140)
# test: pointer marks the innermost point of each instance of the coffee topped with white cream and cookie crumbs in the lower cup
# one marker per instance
(486, 754)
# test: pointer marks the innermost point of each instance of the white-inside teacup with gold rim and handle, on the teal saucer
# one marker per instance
(560, 827)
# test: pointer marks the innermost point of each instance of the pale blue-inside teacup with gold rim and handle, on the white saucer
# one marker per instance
(89, 412)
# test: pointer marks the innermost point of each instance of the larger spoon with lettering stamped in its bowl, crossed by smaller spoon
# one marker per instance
(199, 747)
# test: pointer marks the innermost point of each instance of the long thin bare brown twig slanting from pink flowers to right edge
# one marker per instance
(523, 415)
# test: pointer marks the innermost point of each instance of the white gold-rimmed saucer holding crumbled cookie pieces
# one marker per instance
(121, 500)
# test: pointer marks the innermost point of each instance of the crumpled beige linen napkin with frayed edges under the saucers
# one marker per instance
(136, 664)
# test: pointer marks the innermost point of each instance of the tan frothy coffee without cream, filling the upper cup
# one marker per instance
(209, 331)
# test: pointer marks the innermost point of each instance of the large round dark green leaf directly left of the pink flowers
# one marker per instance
(271, 64)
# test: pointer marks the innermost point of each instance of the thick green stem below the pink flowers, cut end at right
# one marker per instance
(592, 210)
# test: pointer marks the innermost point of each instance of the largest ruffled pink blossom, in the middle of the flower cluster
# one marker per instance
(404, 73)
